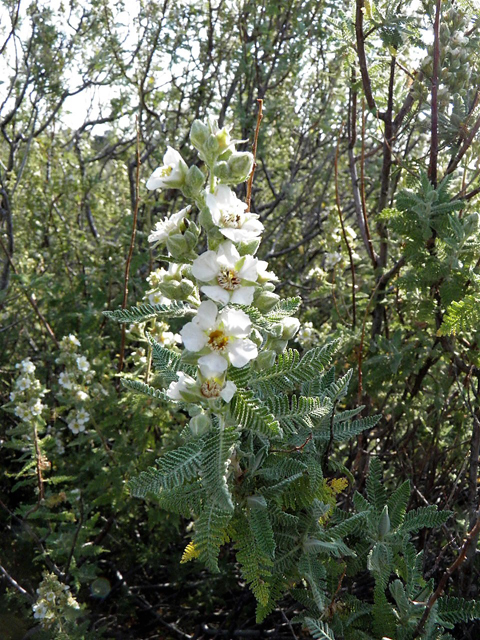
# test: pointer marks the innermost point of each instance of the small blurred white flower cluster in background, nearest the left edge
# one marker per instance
(27, 393)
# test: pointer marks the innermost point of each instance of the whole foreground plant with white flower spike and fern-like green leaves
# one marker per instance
(252, 469)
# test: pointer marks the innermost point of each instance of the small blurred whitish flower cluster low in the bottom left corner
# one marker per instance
(55, 605)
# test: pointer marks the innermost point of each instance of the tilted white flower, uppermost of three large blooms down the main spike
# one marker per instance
(228, 213)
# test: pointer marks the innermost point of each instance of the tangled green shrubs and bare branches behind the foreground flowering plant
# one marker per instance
(367, 183)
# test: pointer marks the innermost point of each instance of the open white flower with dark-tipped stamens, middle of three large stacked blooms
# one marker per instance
(232, 277)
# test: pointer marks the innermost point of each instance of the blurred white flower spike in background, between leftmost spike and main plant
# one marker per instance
(74, 382)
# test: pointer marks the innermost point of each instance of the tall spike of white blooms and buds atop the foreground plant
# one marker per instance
(223, 281)
